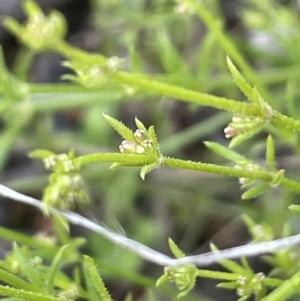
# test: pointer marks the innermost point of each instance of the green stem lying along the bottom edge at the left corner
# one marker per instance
(13, 292)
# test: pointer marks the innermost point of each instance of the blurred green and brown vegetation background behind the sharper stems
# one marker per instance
(154, 38)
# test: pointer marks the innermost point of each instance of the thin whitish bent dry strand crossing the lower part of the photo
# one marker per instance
(205, 259)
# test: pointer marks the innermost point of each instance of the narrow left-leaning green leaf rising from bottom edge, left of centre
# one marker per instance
(96, 279)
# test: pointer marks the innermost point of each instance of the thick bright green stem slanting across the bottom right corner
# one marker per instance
(285, 290)
